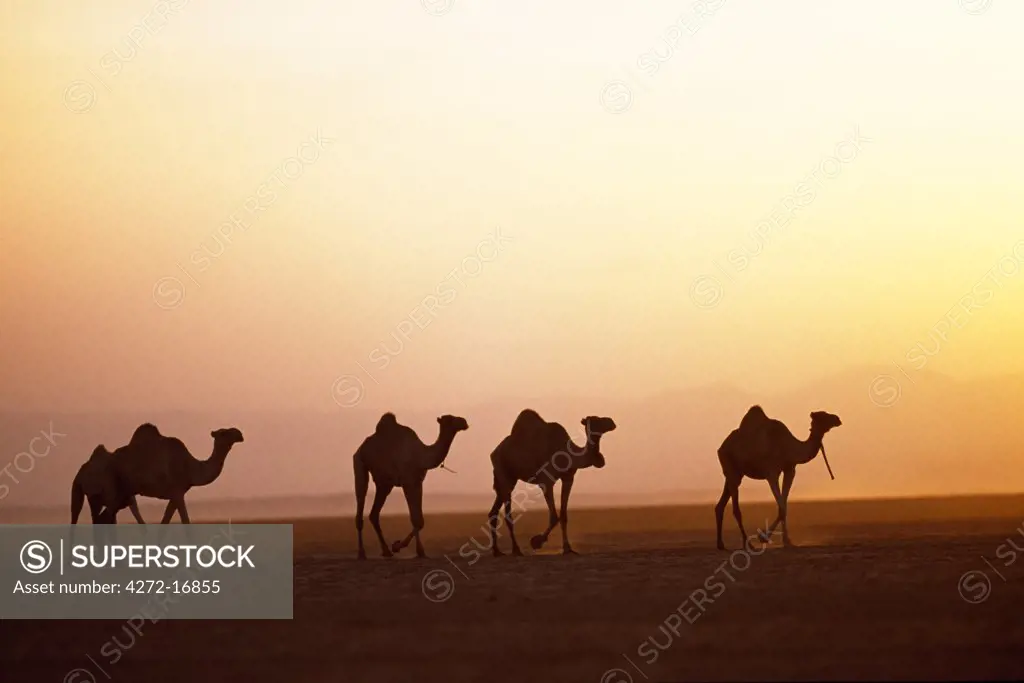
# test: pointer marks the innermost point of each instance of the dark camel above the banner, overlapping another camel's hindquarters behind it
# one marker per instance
(160, 466)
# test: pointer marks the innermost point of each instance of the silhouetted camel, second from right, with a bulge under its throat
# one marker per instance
(526, 455)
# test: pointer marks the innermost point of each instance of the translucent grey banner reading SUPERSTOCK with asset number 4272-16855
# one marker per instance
(148, 572)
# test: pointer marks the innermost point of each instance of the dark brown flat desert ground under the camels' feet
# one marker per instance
(876, 590)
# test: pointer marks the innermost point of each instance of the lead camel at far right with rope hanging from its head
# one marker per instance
(763, 449)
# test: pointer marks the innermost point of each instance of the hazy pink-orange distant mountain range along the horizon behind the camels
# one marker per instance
(914, 435)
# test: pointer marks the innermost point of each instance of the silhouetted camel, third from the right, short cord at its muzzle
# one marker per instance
(395, 456)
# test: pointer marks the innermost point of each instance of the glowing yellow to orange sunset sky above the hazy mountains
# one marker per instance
(622, 194)
